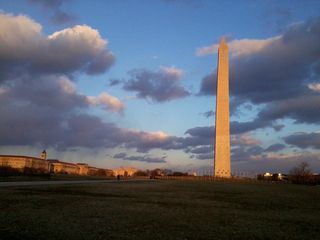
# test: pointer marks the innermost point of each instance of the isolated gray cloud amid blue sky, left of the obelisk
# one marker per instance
(160, 86)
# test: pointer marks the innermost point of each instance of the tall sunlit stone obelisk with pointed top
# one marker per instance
(222, 138)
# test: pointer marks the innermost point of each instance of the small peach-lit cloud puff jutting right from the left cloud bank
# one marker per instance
(106, 101)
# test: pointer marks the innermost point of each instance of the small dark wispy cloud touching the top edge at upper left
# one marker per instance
(54, 8)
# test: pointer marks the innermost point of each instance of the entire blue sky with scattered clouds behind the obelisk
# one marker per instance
(132, 82)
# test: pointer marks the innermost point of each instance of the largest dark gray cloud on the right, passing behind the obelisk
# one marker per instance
(278, 74)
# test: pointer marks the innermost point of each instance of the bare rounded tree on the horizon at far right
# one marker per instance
(301, 174)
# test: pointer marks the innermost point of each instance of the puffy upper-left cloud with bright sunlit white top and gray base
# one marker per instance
(23, 46)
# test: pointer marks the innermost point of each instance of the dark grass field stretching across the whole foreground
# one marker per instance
(161, 210)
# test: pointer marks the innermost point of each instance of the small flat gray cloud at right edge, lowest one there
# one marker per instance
(304, 140)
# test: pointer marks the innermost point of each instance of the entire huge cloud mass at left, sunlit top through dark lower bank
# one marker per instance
(40, 104)
